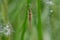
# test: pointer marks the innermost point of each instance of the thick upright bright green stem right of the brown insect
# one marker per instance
(39, 26)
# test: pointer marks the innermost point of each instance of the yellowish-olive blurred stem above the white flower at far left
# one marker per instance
(5, 11)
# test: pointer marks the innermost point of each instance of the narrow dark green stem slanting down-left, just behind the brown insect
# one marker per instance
(25, 21)
